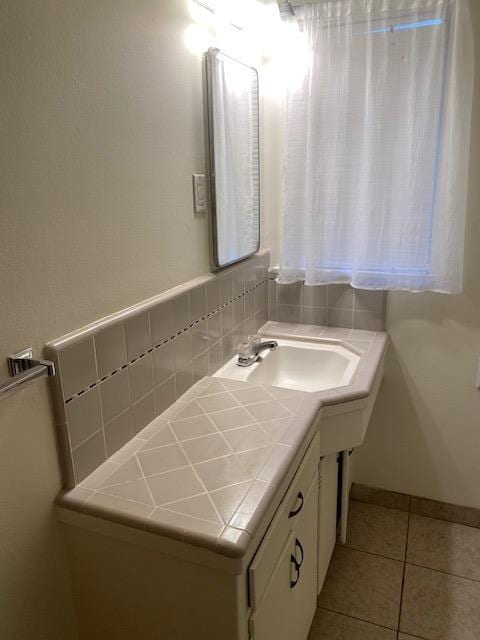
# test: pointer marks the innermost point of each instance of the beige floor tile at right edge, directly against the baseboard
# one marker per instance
(449, 547)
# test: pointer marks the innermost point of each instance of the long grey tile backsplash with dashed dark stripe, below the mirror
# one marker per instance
(117, 374)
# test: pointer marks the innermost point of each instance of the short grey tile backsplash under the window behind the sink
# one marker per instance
(333, 305)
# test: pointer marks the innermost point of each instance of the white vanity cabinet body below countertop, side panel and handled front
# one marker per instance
(135, 584)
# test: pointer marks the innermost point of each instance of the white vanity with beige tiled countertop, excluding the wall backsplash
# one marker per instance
(219, 518)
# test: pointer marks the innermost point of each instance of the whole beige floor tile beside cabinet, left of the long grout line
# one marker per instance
(363, 586)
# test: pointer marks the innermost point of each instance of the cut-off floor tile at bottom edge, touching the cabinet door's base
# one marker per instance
(328, 625)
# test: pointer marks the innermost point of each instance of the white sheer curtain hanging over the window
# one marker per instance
(377, 141)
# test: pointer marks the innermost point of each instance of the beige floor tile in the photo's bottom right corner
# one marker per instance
(437, 606)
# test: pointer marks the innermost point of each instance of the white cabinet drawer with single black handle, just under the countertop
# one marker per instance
(288, 512)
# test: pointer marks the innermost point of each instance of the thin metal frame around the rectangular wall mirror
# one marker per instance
(211, 156)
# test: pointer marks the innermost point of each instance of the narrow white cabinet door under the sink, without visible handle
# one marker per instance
(327, 514)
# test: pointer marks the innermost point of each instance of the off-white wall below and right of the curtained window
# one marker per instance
(424, 437)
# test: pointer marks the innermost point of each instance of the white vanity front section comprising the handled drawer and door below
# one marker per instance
(283, 574)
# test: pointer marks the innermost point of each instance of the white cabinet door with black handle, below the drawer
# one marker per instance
(288, 604)
